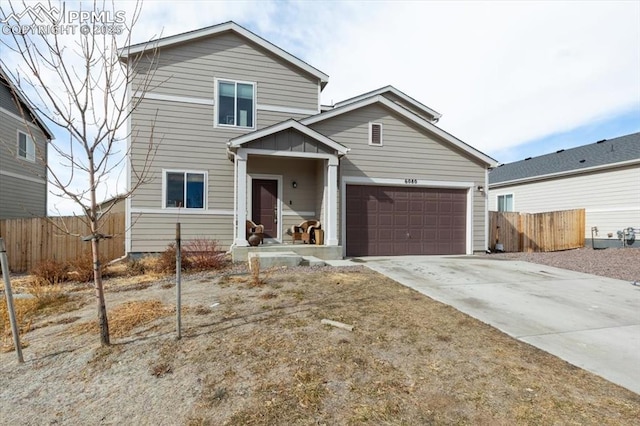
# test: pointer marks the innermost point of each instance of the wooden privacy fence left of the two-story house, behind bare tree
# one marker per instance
(28, 241)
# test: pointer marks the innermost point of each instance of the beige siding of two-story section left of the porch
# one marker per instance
(184, 131)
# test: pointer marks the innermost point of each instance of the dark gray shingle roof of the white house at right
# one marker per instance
(601, 153)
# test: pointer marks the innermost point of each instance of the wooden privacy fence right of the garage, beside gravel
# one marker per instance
(550, 231)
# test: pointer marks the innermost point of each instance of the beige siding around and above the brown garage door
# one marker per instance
(407, 152)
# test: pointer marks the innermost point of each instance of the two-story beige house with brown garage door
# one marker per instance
(242, 135)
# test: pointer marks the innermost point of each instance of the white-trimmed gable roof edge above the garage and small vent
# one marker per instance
(404, 112)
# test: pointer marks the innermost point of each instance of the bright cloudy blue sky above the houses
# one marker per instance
(513, 79)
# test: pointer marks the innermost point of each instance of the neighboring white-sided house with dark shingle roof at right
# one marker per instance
(601, 177)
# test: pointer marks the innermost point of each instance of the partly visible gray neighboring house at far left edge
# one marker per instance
(23, 155)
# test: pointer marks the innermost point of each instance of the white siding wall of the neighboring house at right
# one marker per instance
(611, 198)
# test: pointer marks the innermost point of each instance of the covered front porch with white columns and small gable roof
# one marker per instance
(285, 174)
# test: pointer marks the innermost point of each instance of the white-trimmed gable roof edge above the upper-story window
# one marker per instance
(135, 49)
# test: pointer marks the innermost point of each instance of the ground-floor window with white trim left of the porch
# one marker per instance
(185, 189)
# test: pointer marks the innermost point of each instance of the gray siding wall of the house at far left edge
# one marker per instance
(20, 194)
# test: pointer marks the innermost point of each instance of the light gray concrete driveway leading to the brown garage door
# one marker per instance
(590, 321)
